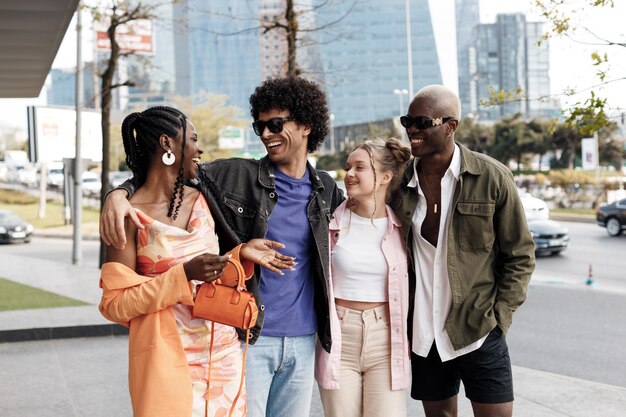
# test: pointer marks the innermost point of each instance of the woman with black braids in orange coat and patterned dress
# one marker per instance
(179, 364)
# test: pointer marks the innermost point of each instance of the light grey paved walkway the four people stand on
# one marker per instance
(41, 350)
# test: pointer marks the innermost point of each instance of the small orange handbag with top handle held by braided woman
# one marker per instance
(233, 306)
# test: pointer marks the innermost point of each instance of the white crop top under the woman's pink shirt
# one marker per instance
(359, 266)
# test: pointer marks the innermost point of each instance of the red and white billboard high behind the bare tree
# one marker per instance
(135, 36)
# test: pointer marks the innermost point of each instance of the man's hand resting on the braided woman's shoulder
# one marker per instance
(115, 209)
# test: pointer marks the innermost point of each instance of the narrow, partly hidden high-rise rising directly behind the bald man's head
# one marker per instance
(467, 19)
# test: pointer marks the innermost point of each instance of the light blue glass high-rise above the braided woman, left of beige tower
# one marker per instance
(217, 48)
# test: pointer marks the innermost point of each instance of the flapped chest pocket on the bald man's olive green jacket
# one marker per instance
(475, 227)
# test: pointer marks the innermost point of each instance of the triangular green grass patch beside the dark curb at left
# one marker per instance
(14, 296)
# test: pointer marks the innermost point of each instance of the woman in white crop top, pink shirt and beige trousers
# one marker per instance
(367, 370)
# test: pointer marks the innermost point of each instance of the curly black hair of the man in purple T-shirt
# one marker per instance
(305, 101)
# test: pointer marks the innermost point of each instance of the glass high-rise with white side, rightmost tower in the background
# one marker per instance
(507, 58)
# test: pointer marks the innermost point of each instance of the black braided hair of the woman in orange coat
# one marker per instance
(140, 134)
